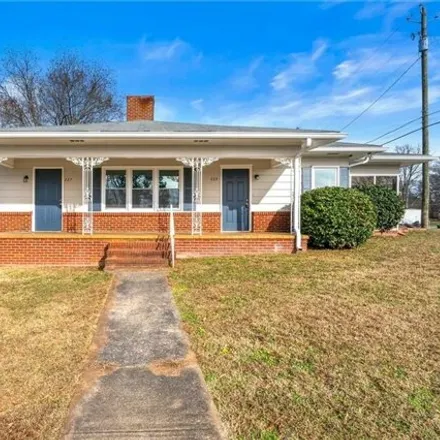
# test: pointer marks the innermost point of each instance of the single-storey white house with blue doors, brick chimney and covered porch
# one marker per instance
(123, 177)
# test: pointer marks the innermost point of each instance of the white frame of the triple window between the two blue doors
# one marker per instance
(129, 188)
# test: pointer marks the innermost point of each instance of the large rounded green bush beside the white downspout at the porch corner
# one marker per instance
(337, 218)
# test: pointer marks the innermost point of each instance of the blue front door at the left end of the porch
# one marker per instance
(48, 199)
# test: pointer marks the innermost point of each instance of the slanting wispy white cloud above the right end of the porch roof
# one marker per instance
(301, 66)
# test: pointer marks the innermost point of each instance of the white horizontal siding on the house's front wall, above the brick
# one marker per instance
(271, 192)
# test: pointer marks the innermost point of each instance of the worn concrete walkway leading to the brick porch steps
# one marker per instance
(144, 383)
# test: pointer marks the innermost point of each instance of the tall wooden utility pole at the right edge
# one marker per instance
(423, 49)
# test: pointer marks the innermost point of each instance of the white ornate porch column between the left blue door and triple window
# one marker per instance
(87, 164)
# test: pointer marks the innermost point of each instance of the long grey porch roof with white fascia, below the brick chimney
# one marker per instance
(155, 139)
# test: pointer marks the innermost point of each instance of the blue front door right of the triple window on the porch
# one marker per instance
(235, 200)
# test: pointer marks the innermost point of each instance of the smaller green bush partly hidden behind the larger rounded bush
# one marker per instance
(389, 206)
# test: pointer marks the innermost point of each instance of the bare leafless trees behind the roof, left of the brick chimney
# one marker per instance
(70, 91)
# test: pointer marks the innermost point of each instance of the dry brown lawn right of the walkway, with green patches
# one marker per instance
(322, 345)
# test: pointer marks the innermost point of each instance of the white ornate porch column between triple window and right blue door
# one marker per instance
(197, 164)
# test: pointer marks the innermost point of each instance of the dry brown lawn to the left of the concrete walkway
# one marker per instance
(47, 320)
